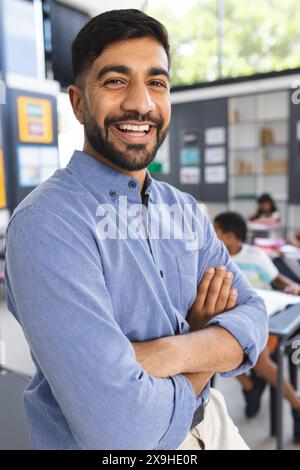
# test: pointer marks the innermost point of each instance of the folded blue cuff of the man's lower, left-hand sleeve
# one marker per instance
(184, 408)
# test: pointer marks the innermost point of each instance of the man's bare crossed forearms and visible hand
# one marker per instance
(205, 351)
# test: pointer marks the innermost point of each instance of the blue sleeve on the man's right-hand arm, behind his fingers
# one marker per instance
(248, 321)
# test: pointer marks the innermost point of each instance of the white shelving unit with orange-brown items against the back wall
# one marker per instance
(258, 150)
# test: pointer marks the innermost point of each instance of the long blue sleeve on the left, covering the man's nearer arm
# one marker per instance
(57, 286)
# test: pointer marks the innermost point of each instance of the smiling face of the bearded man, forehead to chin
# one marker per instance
(126, 102)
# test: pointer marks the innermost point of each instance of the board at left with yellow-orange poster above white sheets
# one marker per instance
(32, 144)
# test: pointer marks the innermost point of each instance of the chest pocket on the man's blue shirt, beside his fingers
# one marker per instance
(187, 264)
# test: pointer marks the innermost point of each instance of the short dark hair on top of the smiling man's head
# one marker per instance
(111, 27)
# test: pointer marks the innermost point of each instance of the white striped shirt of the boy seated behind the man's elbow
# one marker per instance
(256, 265)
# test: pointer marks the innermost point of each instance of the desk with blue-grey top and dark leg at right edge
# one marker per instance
(284, 325)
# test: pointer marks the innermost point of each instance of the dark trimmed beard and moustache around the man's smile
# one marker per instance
(135, 156)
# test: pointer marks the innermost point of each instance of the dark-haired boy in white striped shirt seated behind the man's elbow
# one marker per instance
(231, 228)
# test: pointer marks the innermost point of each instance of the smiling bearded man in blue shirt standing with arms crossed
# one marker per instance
(103, 300)
